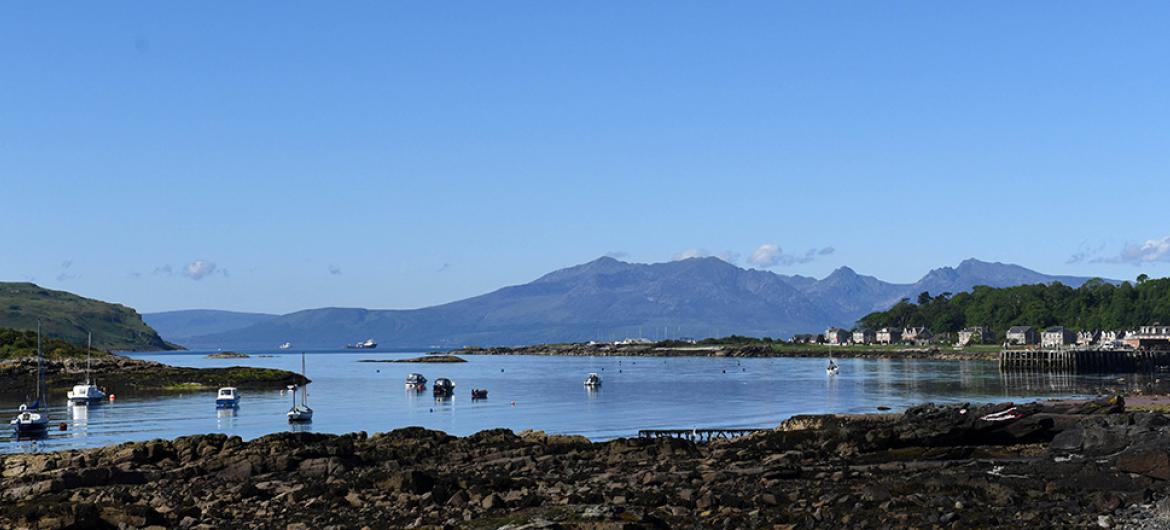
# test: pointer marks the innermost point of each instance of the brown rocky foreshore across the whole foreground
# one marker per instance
(997, 466)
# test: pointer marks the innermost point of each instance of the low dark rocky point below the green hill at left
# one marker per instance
(120, 374)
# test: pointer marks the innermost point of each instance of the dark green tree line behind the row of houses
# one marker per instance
(1095, 306)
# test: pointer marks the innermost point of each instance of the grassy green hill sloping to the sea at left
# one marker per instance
(70, 318)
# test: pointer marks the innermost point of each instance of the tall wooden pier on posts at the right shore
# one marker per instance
(1086, 361)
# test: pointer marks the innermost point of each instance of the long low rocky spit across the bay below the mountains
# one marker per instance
(728, 350)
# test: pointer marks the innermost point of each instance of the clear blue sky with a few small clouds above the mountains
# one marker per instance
(279, 156)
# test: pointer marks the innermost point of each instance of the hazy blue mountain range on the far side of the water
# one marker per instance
(602, 300)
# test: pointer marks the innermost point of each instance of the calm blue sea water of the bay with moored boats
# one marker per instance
(543, 394)
